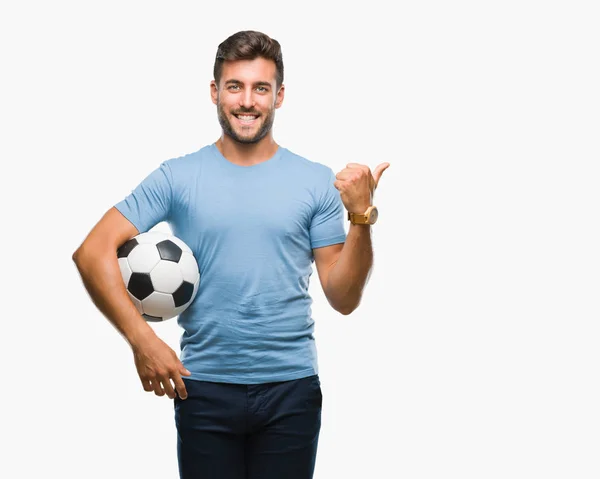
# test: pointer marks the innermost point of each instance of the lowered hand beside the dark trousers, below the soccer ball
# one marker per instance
(157, 364)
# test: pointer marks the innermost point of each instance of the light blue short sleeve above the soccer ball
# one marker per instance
(150, 202)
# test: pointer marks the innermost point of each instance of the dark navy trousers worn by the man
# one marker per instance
(257, 431)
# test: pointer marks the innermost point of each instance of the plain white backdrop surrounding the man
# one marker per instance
(475, 352)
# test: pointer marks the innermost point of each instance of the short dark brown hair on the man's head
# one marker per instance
(248, 45)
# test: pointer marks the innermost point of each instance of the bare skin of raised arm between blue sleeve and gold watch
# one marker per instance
(344, 269)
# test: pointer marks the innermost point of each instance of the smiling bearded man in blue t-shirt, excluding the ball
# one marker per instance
(247, 395)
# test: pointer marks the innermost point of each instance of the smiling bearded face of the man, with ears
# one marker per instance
(246, 99)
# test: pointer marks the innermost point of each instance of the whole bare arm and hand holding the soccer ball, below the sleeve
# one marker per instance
(97, 263)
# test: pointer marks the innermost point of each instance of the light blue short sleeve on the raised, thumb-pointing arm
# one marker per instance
(327, 225)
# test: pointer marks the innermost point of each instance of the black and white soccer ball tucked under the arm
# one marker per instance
(160, 274)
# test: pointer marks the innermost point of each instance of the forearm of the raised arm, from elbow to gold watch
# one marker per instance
(349, 275)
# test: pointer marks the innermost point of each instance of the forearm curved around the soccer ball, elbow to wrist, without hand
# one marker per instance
(102, 279)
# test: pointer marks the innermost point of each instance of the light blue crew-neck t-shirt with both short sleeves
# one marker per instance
(252, 230)
